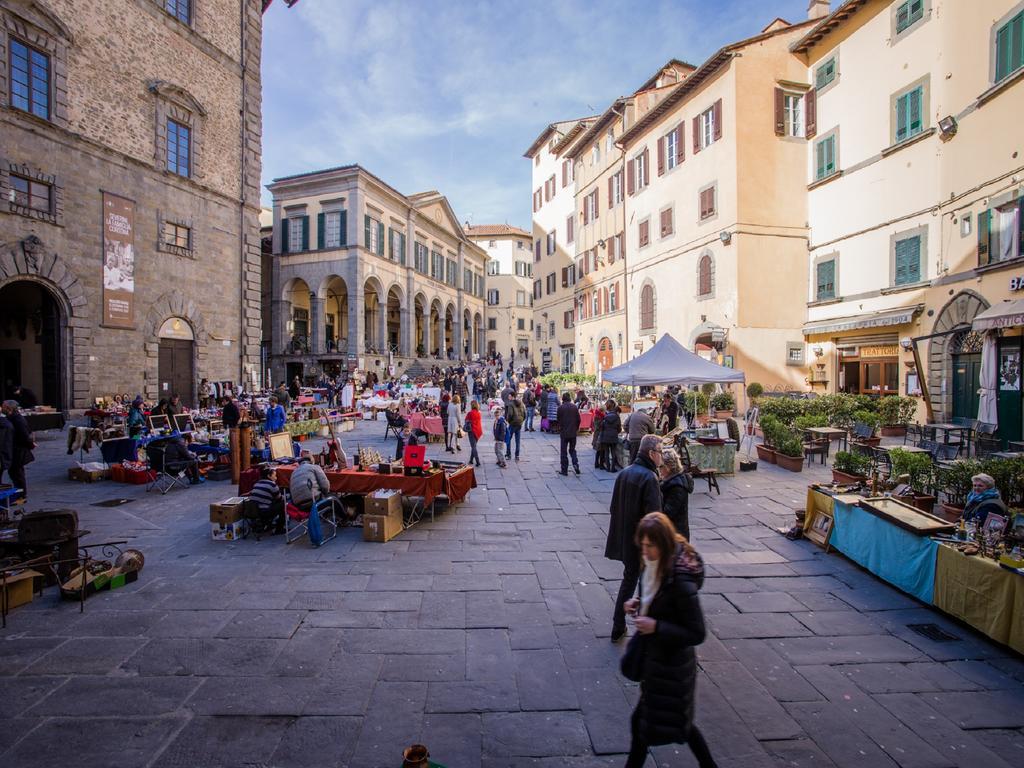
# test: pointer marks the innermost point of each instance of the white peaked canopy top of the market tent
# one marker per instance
(670, 363)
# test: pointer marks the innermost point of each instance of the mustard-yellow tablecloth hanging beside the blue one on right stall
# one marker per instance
(979, 592)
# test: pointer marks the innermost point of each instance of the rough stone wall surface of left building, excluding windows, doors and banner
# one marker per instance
(108, 144)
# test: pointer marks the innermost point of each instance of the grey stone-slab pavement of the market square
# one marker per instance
(484, 635)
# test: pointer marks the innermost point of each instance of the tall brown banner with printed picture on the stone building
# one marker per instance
(119, 262)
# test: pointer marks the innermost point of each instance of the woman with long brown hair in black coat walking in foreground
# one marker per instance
(670, 624)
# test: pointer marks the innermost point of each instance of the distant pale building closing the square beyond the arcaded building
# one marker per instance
(509, 329)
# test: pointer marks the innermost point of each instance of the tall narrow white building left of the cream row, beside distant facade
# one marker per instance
(554, 250)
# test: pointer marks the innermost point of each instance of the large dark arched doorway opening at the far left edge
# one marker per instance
(32, 335)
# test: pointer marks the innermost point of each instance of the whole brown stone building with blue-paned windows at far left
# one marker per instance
(130, 196)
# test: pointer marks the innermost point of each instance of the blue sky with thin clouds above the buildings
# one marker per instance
(448, 96)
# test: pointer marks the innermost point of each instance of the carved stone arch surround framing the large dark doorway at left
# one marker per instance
(29, 260)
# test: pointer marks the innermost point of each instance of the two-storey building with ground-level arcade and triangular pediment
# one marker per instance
(367, 278)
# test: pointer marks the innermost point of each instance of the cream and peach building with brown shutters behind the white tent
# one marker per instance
(715, 216)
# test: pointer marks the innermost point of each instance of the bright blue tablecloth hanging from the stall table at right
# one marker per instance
(903, 559)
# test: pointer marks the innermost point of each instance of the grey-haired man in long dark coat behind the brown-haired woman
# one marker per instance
(636, 494)
